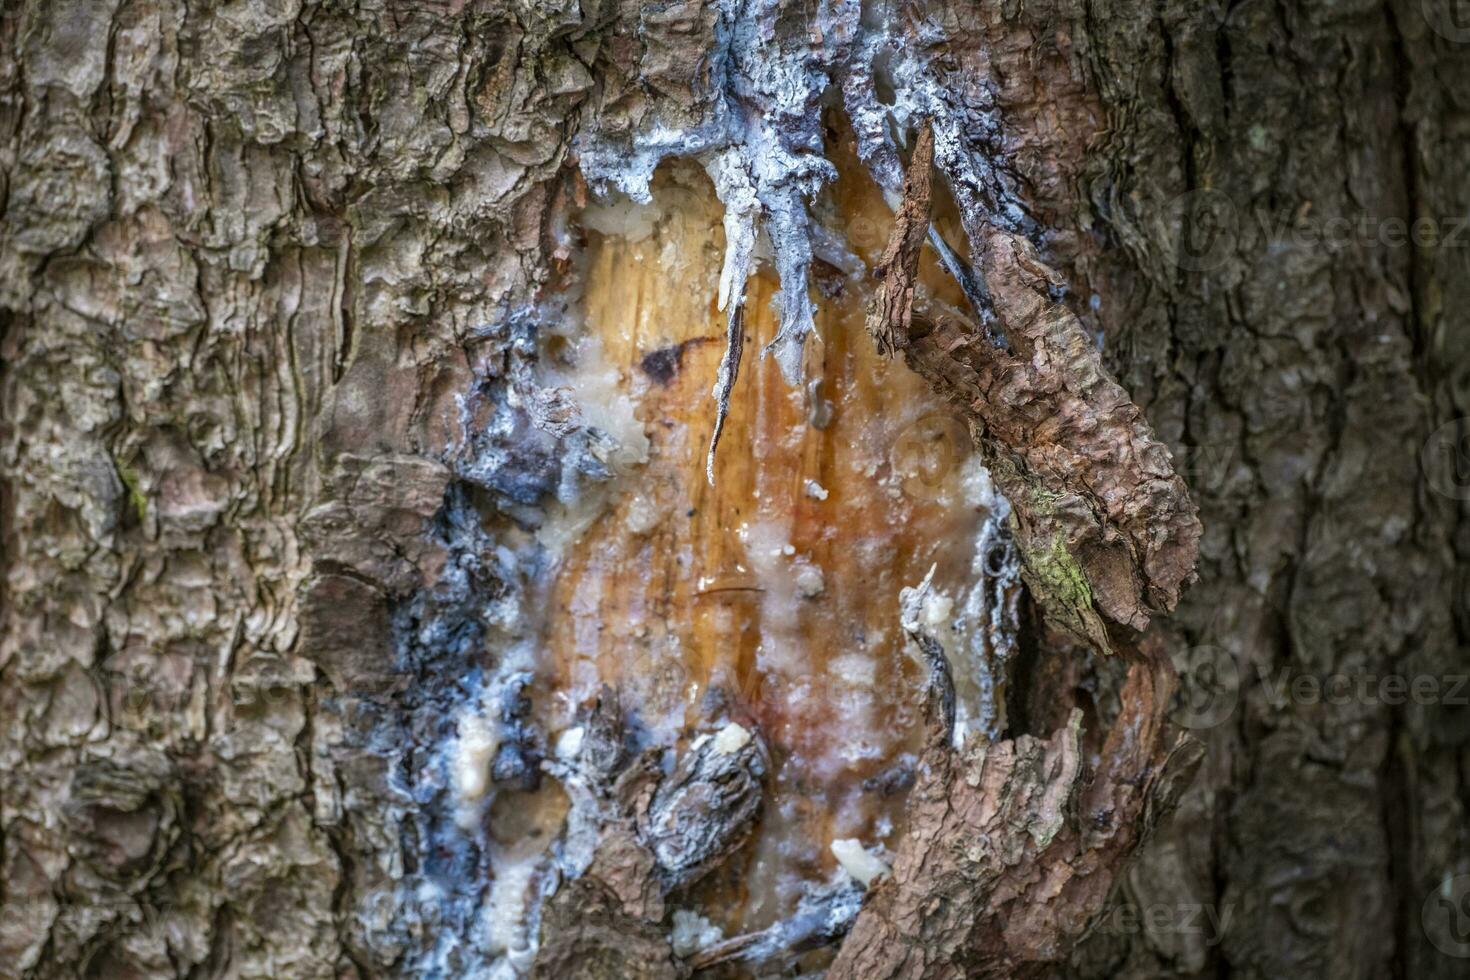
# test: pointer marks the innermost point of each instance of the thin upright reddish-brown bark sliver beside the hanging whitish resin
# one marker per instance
(890, 311)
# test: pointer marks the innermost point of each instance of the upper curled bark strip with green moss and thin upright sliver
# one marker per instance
(1103, 521)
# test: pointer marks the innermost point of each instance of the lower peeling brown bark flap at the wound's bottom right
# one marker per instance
(1015, 846)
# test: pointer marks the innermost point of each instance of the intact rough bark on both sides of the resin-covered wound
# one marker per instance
(255, 253)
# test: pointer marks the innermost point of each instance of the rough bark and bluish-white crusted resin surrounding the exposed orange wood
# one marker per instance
(273, 284)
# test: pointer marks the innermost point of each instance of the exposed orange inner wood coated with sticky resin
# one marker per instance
(689, 599)
